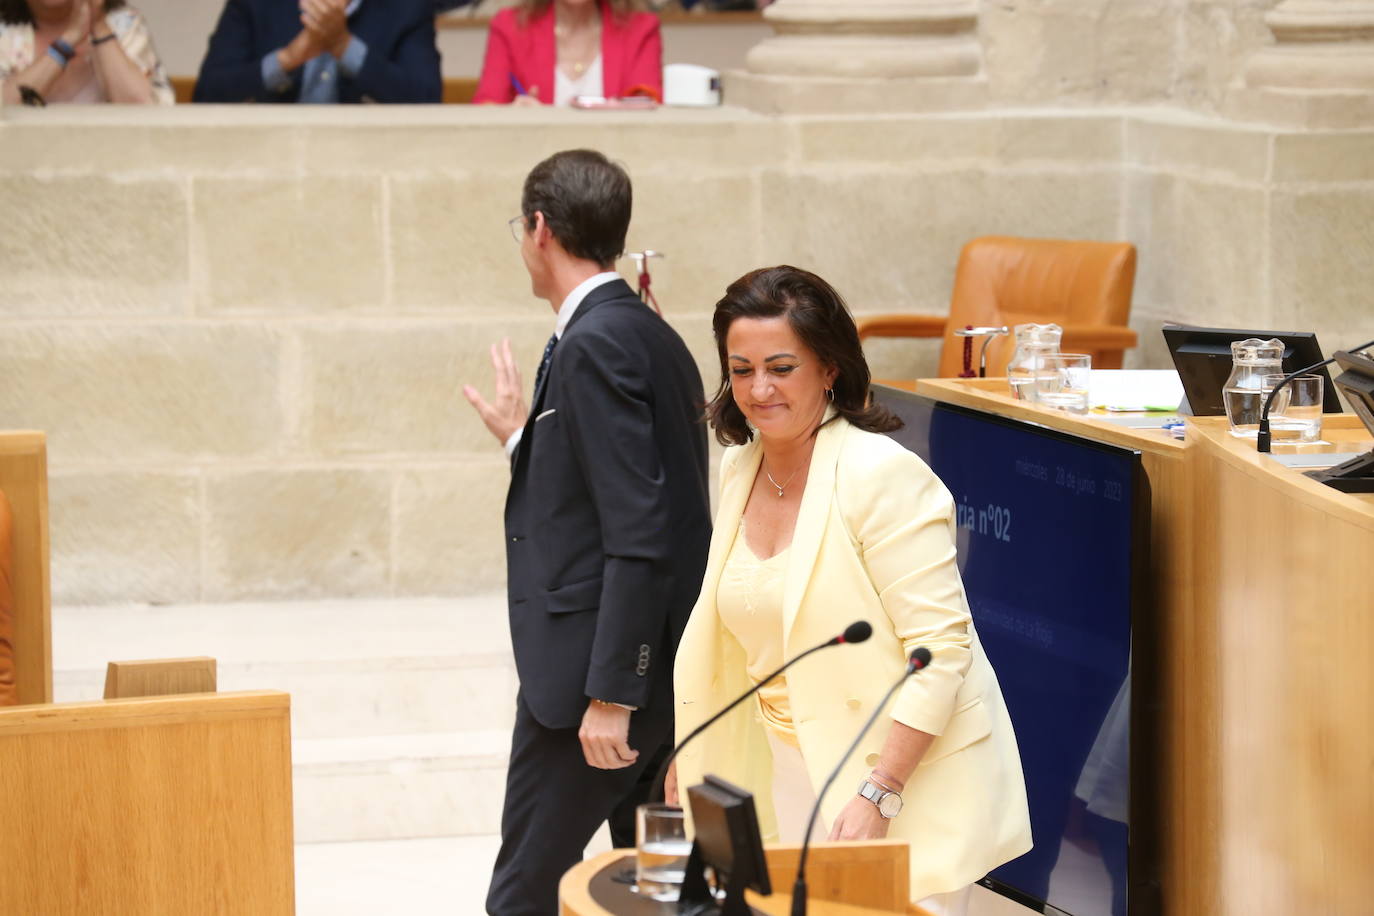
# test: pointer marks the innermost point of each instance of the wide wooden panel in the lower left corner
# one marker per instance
(164, 807)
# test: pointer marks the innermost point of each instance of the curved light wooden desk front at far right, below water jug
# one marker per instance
(1284, 575)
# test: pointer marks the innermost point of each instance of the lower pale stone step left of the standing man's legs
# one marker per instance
(401, 786)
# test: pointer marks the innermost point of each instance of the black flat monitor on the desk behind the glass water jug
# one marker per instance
(1203, 358)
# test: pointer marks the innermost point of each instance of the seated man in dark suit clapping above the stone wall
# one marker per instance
(322, 51)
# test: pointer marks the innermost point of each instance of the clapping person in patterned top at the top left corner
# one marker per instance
(79, 51)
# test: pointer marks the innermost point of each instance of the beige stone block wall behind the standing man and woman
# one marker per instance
(247, 330)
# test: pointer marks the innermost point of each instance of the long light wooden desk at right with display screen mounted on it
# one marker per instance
(1266, 694)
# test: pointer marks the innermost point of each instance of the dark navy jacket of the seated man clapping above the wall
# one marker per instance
(402, 57)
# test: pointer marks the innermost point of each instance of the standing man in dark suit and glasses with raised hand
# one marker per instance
(608, 523)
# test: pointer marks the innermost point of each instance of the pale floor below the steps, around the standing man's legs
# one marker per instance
(439, 877)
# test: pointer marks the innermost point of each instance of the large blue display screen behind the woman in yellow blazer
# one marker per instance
(1050, 532)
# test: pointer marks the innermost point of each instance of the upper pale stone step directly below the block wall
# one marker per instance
(354, 669)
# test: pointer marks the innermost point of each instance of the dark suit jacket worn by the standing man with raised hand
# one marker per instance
(608, 518)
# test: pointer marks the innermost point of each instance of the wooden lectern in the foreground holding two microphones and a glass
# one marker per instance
(843, 880)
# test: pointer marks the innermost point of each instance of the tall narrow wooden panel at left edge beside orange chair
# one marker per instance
(24, 477)
